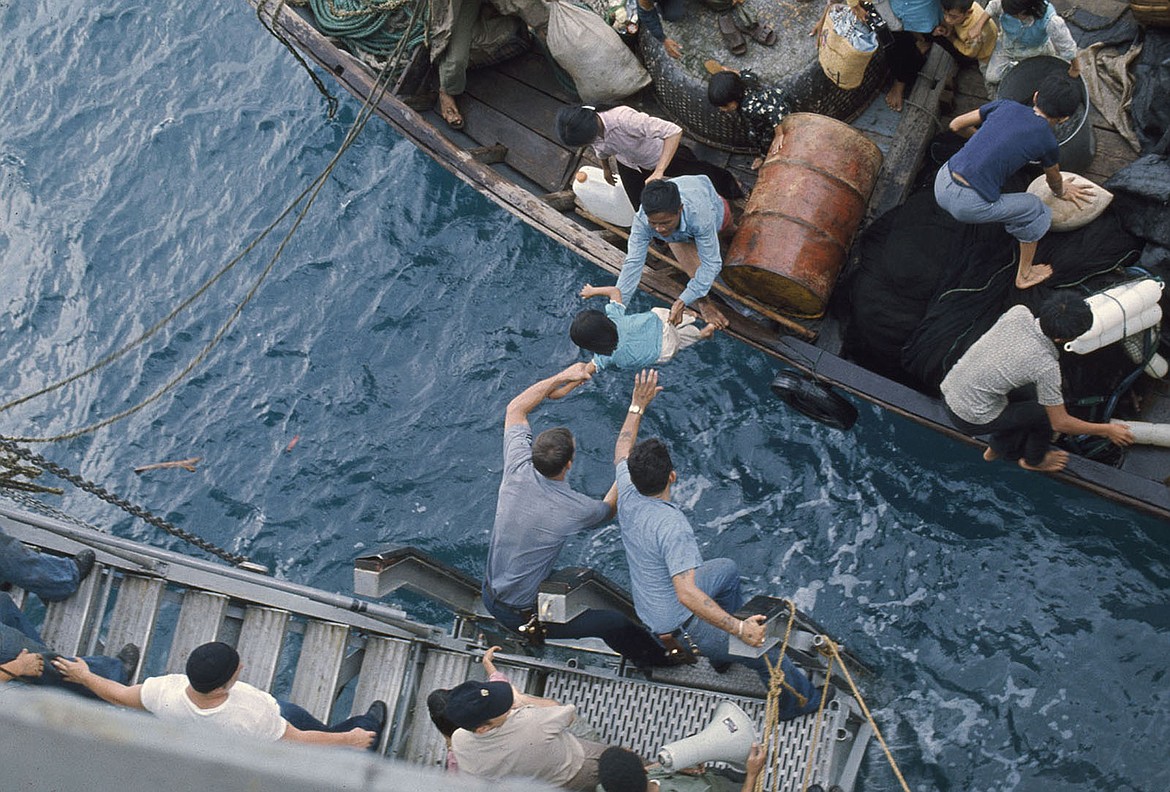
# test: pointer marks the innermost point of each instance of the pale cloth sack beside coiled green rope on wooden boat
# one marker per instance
(603, 68)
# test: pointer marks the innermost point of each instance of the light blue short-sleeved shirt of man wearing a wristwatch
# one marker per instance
(659, 545)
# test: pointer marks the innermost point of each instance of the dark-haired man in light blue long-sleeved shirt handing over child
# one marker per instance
(690, 216)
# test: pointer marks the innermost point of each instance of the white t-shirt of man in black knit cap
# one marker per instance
(247, 712)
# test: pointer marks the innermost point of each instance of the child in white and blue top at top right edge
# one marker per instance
(1028, 29)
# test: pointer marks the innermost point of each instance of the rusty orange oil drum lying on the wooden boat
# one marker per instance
(808, 204)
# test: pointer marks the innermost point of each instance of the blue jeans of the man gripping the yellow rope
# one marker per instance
(720, 580)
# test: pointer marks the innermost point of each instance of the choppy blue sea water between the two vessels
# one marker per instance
(1020, 629)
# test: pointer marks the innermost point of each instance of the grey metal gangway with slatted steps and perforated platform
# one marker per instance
(335, 655)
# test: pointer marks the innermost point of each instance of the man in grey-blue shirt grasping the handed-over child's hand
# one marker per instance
(536, 513)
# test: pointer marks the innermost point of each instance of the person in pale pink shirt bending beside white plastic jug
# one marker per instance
(644, 147)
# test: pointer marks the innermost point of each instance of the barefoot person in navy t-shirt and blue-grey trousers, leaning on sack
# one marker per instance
(1010, 136)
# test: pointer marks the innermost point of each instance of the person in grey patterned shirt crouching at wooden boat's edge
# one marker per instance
(1008, 385)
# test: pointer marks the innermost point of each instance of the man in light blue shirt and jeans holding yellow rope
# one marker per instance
(683, 598)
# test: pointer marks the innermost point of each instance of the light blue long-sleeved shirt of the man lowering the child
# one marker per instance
(703, 215)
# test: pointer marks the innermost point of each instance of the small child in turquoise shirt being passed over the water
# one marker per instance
(631, 341)
